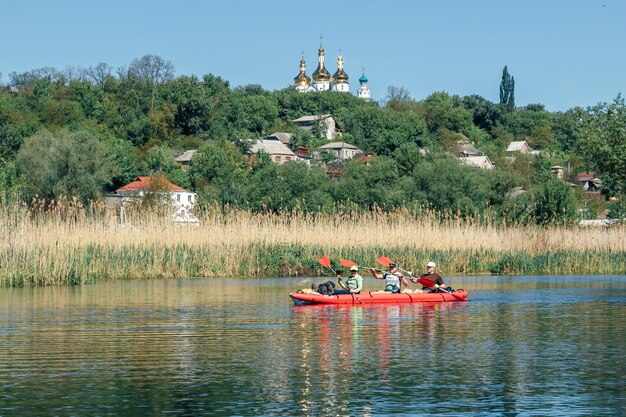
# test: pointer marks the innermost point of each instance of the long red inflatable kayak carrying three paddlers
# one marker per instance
(301, 298)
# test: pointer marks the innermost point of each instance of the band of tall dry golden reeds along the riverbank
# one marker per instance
(64, 242)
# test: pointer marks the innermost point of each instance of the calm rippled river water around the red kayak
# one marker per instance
(522, 346)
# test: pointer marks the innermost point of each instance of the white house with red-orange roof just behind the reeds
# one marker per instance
(142, 185)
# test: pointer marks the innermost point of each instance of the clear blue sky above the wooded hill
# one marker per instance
(562, 53)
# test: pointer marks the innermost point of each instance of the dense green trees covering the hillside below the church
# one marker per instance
(85, 132)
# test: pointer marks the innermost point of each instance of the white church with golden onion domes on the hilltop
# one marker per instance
(321, 80)
